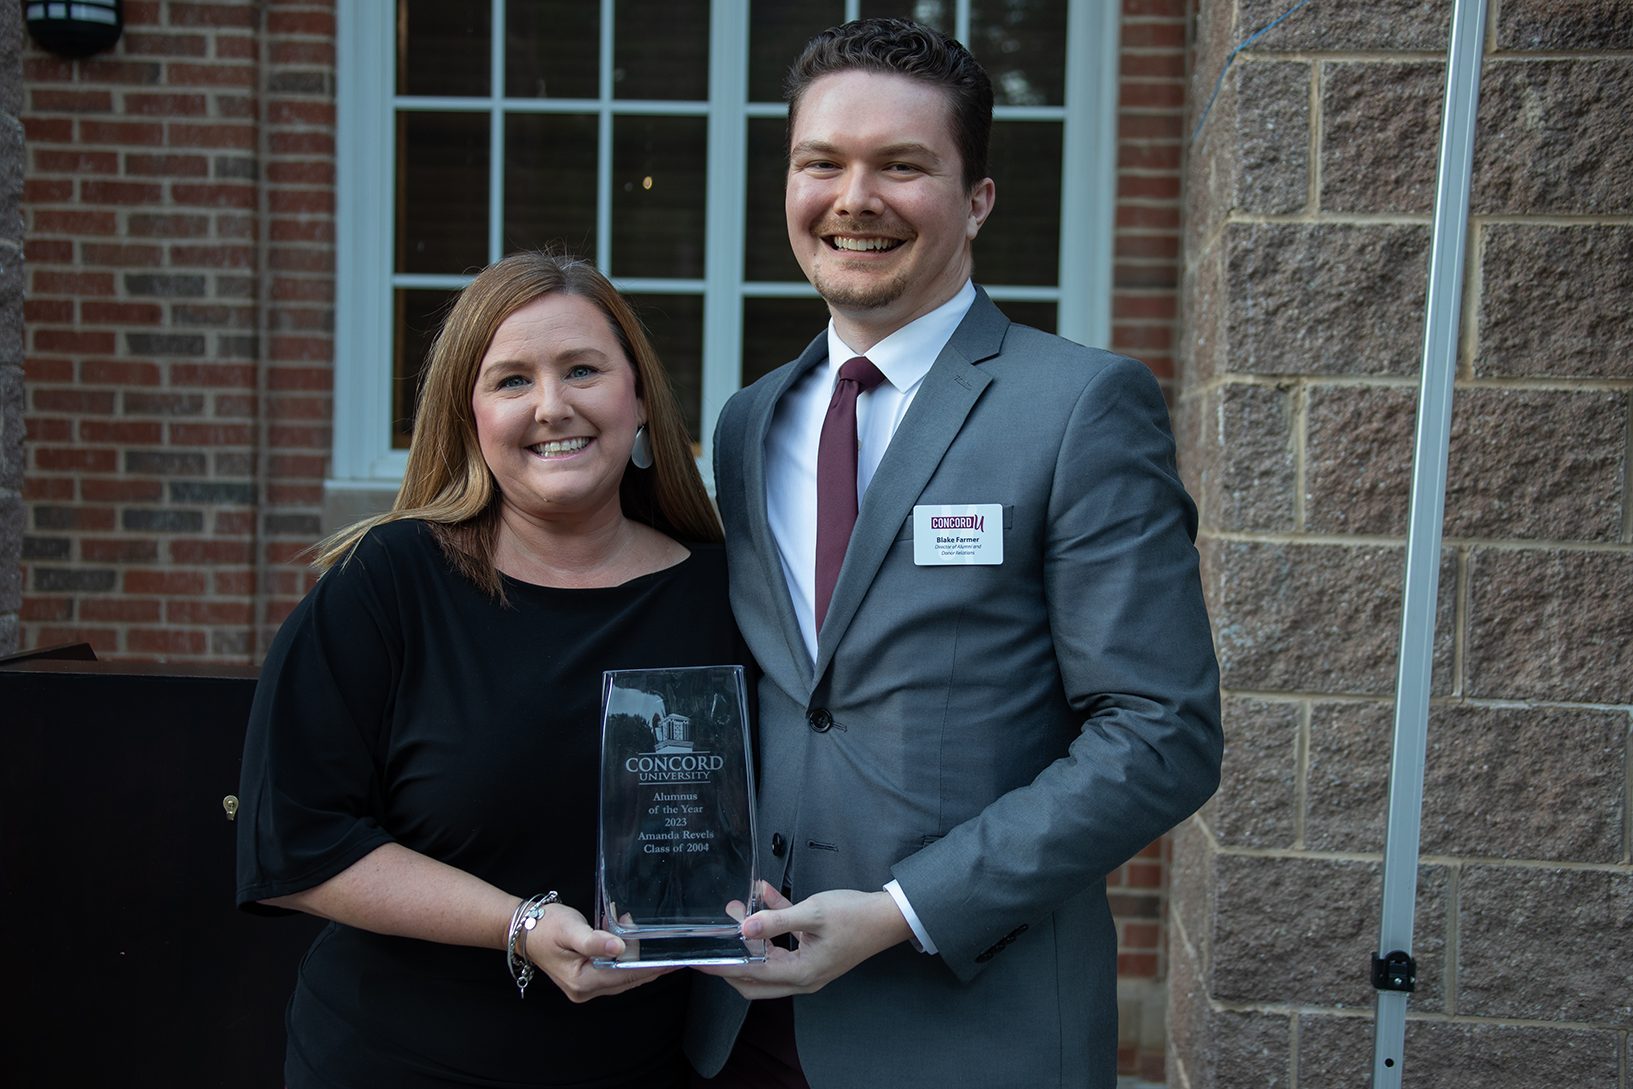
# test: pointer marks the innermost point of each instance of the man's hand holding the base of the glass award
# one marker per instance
(837, 931)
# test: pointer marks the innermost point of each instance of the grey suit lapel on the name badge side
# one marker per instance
(940, 411)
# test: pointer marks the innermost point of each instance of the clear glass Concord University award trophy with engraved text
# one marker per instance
(677, 840)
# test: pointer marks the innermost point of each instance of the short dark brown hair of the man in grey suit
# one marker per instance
(915, 51)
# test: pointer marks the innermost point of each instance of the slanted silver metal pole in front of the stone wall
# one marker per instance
(1394, 972)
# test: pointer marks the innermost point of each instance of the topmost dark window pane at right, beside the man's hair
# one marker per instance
(1023, 47)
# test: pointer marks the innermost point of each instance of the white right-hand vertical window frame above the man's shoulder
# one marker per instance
(1088, 162)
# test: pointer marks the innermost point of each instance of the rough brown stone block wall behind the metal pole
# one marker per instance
(1307, 236)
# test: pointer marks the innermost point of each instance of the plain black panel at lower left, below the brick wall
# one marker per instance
(127, 961)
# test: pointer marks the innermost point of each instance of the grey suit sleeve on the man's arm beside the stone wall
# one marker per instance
(1136, 657)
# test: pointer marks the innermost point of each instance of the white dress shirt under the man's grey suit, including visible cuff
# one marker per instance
(791, 458)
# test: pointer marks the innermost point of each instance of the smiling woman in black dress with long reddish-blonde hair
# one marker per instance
(422, 758)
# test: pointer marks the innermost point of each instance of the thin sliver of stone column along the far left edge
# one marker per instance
(11, 322)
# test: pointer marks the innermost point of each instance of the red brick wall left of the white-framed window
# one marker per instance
(179, 327)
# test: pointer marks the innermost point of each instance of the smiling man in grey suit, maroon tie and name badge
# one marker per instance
(1000, 685)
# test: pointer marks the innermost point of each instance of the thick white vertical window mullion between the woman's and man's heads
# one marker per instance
(724, 215)
